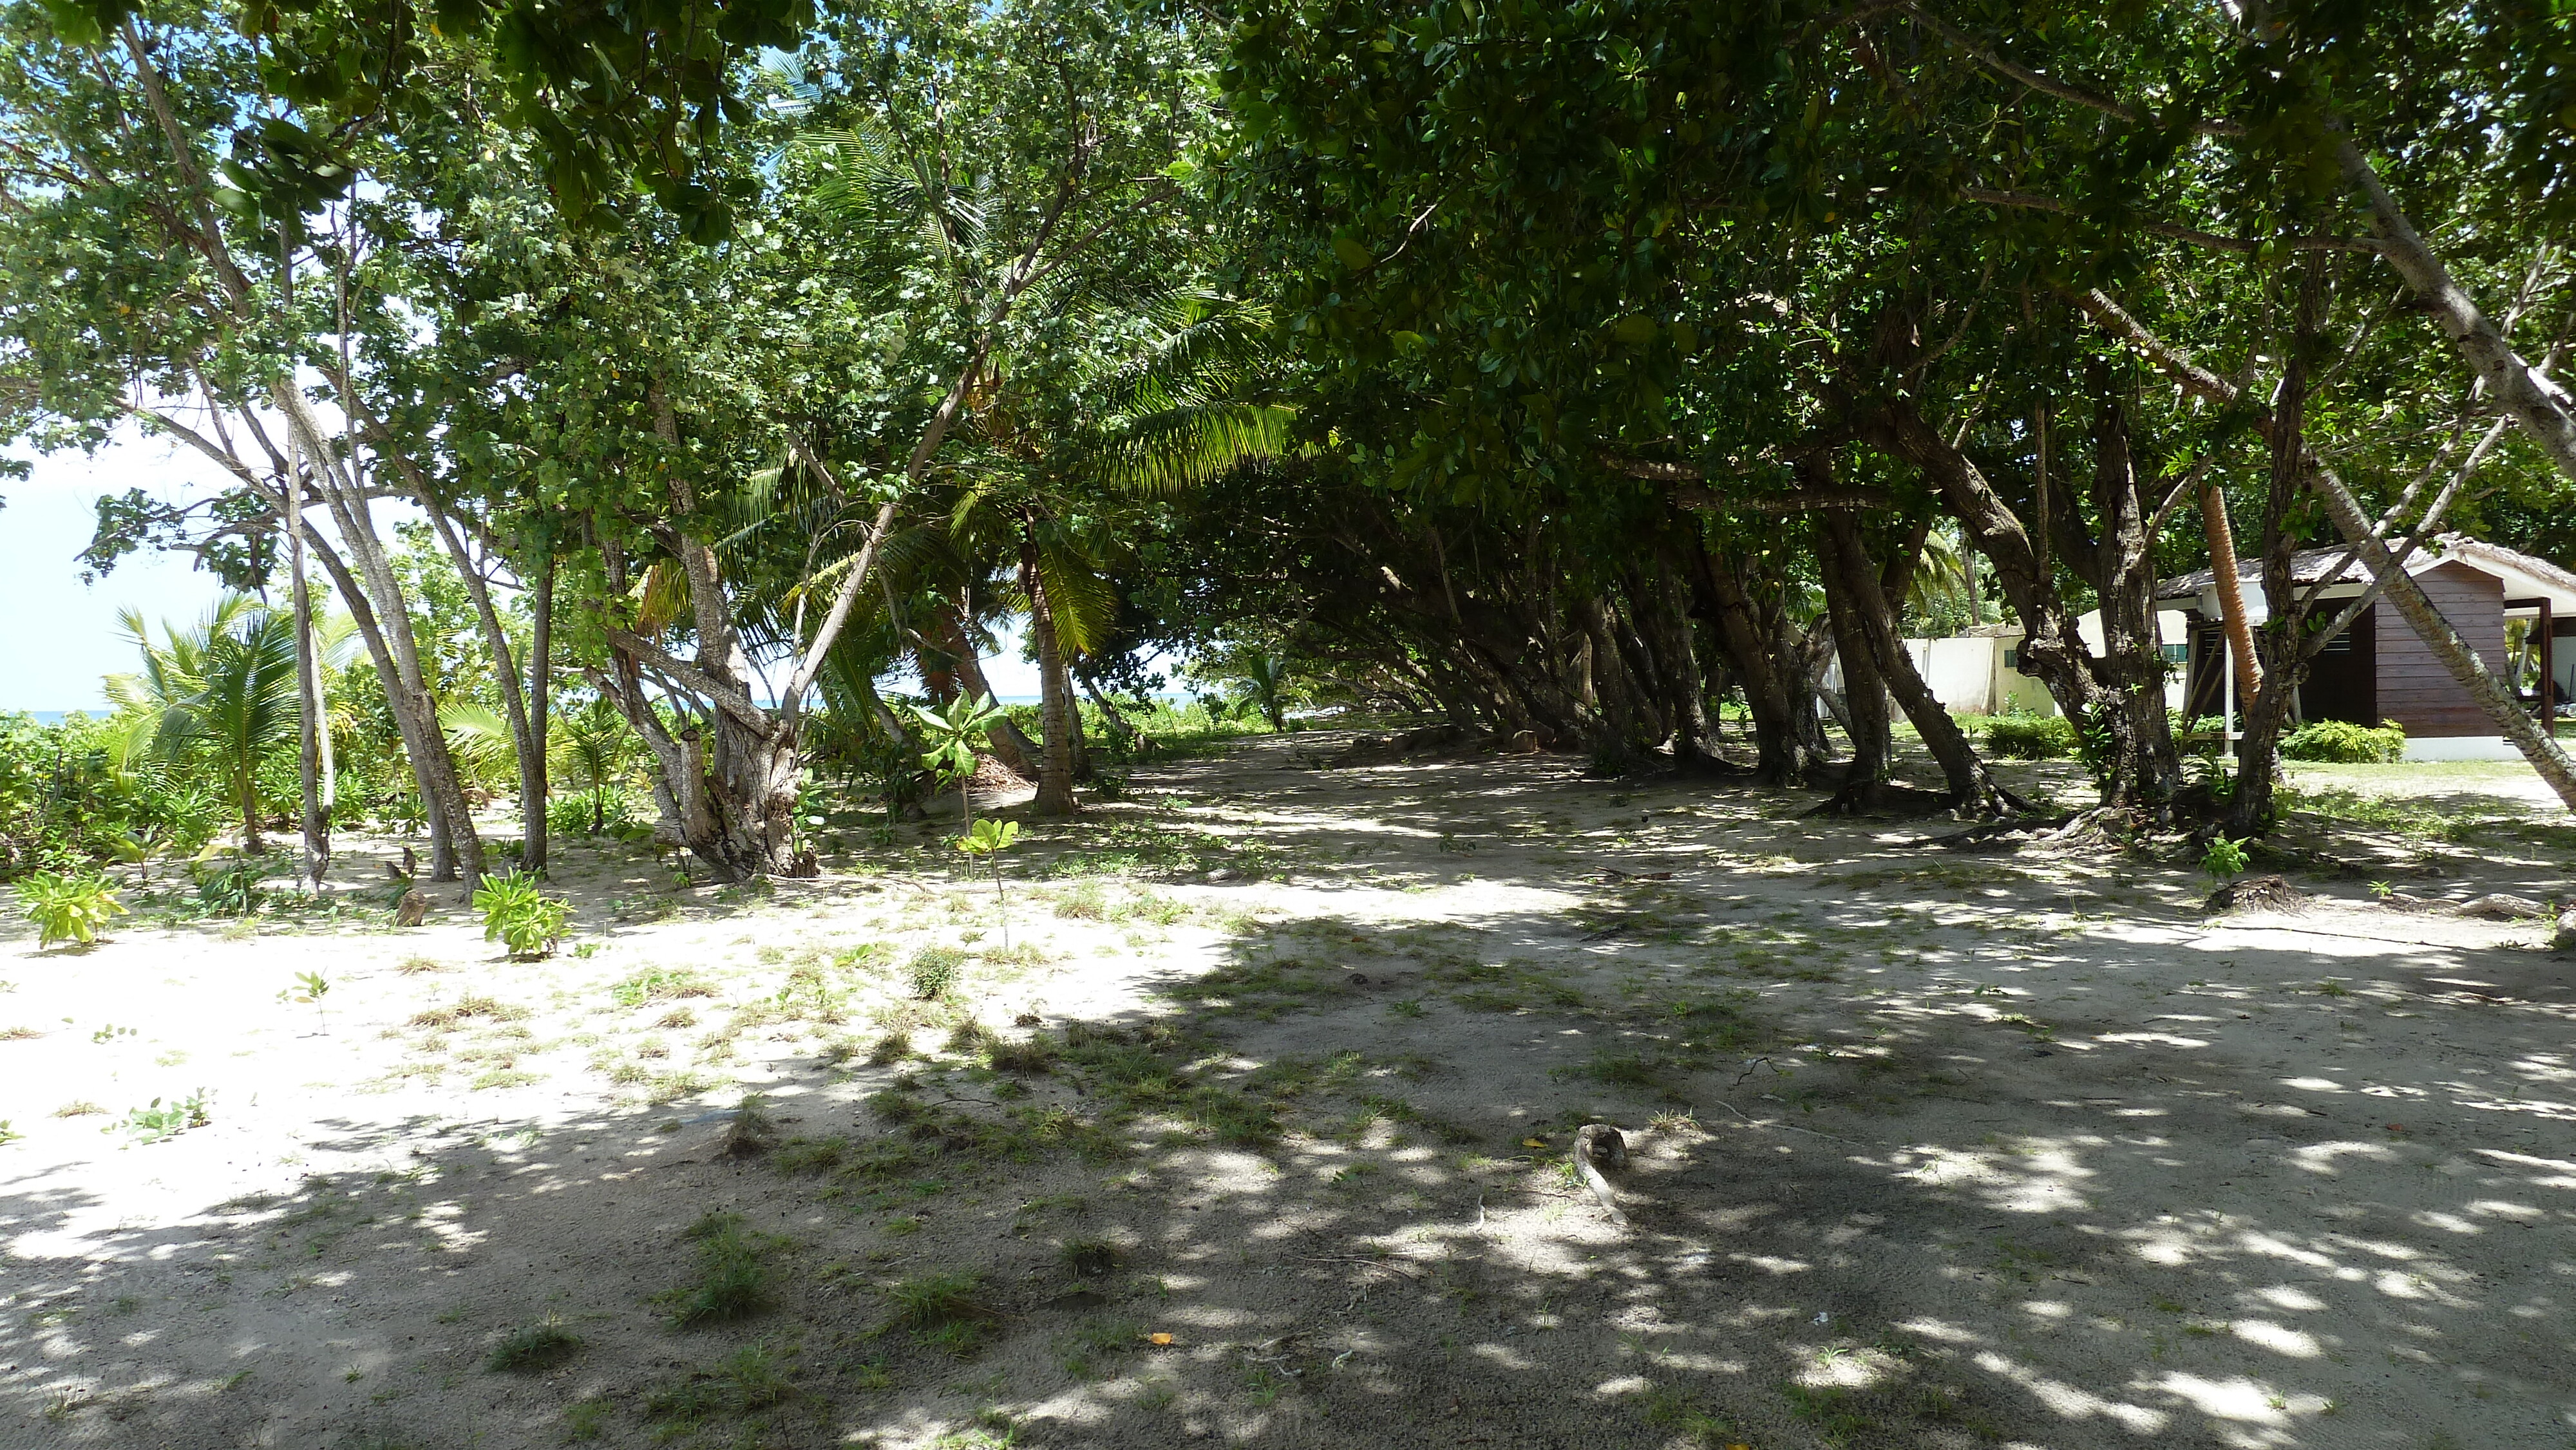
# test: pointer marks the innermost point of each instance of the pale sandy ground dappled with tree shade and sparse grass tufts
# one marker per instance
(1258, 1140)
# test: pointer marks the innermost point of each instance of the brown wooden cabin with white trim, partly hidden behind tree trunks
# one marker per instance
(2379, 671)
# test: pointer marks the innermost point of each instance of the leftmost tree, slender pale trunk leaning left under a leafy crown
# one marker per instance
(148, 285)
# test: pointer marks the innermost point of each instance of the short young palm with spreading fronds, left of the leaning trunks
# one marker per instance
(223, 692)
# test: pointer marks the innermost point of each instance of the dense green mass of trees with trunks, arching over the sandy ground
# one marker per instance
(1619, 377)
